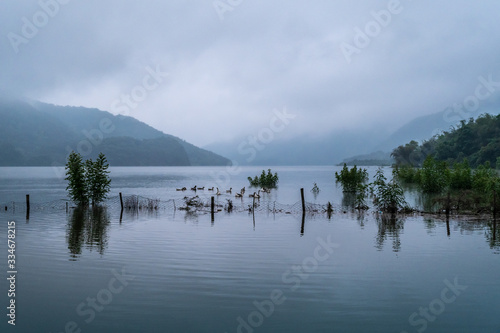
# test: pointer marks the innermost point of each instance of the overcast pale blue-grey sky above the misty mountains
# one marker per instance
(230, 63)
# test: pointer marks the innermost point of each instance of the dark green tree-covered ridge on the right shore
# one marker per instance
(478, 141)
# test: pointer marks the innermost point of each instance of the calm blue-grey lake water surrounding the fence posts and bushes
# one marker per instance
(169, 270)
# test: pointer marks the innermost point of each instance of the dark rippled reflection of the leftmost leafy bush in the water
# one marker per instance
(87, 227)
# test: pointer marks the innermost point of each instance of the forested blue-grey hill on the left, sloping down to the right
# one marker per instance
(39, 134)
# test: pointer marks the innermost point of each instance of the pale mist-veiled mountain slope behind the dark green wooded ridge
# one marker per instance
(363, 146)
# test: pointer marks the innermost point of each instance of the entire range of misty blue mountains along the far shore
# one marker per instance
(39, 134)
